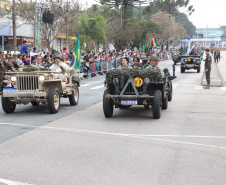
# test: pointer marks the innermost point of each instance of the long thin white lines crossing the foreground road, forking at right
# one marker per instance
(149, 137)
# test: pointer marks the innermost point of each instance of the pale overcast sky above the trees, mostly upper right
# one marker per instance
(207, 12)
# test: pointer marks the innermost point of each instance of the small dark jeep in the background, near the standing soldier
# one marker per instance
(190, 62)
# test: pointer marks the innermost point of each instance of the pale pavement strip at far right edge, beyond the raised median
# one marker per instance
(222, 68)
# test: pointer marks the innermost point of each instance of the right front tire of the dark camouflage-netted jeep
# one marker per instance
(157, 103)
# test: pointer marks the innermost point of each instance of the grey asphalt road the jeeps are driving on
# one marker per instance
(80, 146)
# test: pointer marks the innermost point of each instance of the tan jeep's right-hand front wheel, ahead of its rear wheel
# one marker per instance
(54, 100)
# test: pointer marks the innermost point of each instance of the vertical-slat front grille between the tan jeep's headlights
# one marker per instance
(27, 83)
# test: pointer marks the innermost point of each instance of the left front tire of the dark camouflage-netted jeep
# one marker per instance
(108, 105)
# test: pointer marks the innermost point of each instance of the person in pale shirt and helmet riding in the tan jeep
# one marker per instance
(59, 66)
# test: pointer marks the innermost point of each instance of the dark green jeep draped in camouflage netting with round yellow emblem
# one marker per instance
(127, 87)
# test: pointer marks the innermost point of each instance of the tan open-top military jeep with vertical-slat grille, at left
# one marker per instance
(37, 87)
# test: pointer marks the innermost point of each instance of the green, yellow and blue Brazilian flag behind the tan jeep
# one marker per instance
(75, 59)
